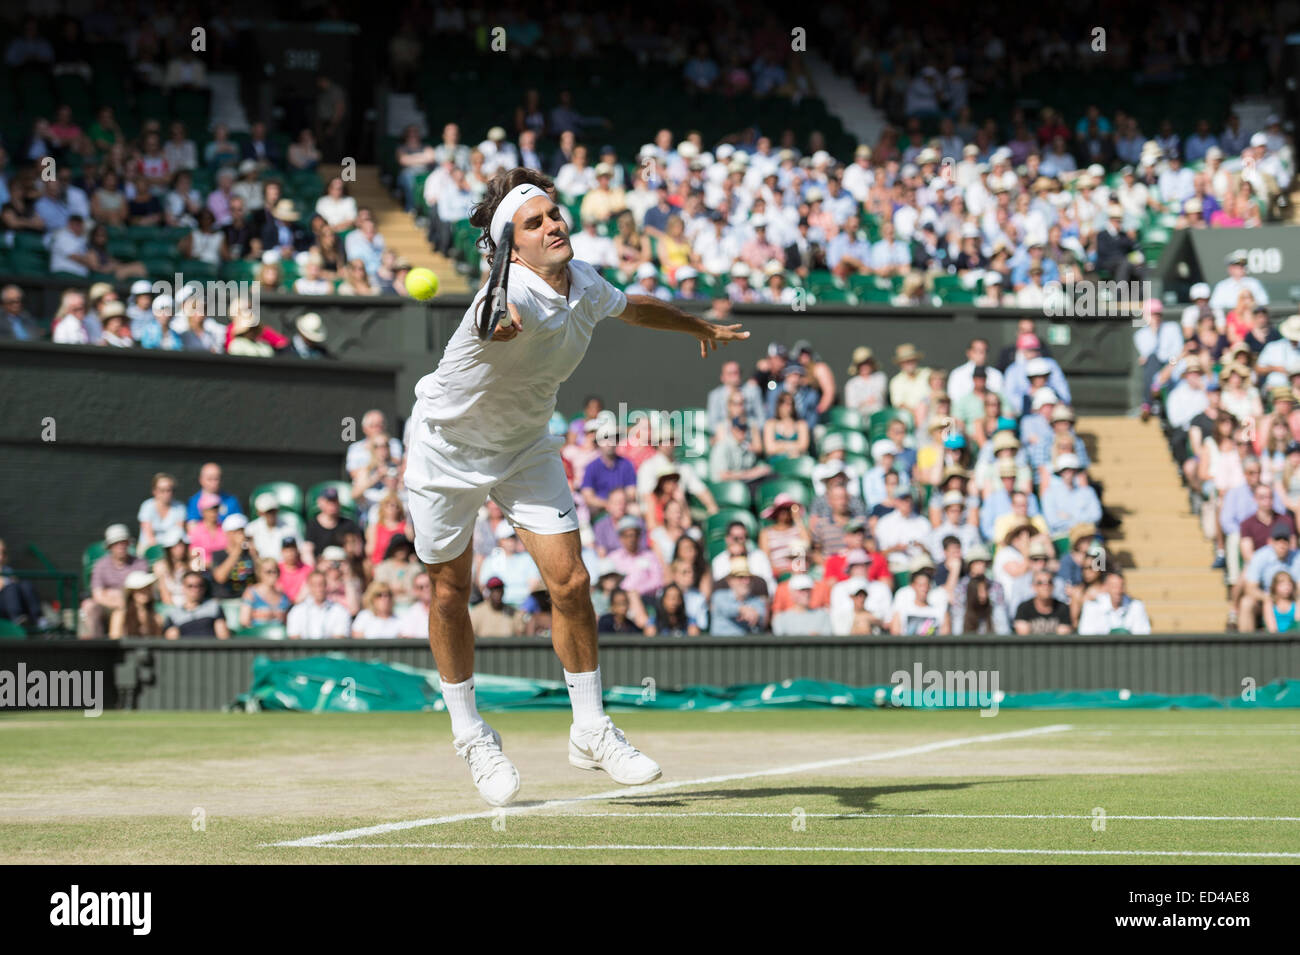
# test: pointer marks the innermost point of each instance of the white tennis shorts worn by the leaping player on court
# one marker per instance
(449, 483)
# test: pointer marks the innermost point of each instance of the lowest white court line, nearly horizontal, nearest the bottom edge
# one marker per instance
(807, 849)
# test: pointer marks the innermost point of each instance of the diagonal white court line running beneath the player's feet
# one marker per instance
(623, 793)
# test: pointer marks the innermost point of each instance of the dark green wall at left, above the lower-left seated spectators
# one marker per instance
(122, 416)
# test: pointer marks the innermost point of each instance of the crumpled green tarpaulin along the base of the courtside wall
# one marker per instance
(339, 684)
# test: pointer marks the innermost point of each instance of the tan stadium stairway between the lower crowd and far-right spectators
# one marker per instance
(1160, 548)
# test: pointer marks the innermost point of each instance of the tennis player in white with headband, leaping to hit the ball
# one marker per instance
(482, 429)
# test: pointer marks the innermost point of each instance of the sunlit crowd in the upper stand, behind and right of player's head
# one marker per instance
(991, 218)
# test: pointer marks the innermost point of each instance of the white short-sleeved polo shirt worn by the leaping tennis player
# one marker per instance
(501, 396)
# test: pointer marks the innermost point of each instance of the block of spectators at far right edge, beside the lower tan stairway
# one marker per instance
(1227, 384)
